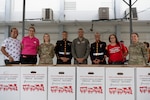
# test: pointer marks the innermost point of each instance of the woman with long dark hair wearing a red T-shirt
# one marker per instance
(116, 51)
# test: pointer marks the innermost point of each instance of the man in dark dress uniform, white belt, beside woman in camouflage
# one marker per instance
(63, 50)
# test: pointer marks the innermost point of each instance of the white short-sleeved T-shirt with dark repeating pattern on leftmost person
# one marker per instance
(12, 47)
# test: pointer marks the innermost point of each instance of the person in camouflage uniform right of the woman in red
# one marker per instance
(137, 51)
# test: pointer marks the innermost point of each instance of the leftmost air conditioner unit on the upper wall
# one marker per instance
(47, 14)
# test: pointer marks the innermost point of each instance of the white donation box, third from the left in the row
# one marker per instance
(61, 83)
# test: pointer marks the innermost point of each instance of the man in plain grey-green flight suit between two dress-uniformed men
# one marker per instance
(80, 48)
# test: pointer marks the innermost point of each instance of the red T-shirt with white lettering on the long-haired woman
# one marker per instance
(116, 53)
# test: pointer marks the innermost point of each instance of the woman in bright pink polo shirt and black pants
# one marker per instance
(29, 47)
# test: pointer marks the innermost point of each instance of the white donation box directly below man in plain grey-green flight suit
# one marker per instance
(90, 83)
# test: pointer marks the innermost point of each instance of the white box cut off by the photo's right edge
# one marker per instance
(142, 83)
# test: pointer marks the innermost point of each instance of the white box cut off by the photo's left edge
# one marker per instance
(9, 83)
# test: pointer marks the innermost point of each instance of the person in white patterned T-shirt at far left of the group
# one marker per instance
(11, 48)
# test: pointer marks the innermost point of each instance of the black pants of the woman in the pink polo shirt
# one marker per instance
(28, 59)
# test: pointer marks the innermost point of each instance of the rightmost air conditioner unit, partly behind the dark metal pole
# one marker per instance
(133, 14)
